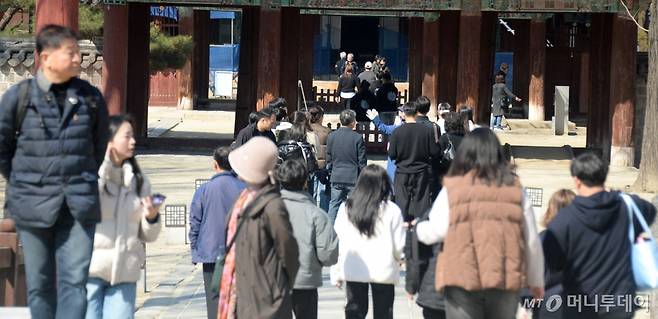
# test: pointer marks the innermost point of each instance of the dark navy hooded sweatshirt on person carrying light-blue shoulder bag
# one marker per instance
(588, 241)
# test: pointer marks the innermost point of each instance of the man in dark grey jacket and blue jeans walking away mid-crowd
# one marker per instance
(346, 158)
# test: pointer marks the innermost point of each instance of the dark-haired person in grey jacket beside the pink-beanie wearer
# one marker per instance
(317, 241)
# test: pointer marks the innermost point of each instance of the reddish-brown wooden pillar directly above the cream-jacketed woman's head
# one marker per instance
(115, 57)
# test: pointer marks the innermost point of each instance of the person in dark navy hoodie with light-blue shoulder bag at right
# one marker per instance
(589, 242)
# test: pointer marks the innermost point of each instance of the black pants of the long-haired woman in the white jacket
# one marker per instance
(383, 296)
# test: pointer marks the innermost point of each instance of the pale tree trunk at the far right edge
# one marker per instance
(648, 178)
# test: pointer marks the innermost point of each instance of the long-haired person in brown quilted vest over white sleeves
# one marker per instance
(491, 249)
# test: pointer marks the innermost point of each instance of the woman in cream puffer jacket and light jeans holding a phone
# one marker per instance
(129, 218)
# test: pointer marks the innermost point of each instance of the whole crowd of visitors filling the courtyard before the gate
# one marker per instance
(289, 198)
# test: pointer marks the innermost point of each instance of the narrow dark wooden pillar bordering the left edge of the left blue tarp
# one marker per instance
(201, 56)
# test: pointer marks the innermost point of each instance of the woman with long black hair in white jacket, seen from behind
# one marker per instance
(370, 243)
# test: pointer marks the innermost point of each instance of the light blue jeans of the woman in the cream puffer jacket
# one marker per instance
(105, 301)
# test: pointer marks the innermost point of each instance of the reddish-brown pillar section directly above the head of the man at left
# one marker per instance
(61, 12)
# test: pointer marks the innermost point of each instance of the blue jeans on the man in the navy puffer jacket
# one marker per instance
(57, 266)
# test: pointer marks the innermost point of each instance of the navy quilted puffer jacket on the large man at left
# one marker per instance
(56, 157)
